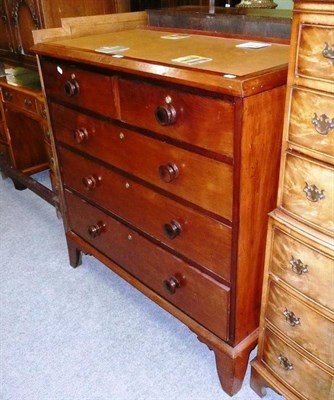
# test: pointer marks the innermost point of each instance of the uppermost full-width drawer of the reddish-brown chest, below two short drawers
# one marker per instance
(200, 180)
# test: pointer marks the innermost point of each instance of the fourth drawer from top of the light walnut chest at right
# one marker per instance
(304, 268)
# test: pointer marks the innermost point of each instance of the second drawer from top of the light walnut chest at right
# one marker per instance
(312, 122)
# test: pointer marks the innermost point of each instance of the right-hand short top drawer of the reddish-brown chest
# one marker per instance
(200, 120)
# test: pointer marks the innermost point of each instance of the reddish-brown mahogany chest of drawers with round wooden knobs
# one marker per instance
(168, 171)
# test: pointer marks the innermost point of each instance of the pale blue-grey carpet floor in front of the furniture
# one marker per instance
(85, 334)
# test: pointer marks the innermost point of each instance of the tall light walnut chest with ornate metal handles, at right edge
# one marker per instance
(296, 342)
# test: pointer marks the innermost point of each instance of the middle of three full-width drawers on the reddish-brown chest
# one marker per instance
(177, 226)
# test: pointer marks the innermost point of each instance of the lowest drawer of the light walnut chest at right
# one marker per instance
(296, 371)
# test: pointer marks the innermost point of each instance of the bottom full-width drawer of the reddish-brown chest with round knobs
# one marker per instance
(175, 280)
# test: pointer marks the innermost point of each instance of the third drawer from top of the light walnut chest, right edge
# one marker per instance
(308, 192)
